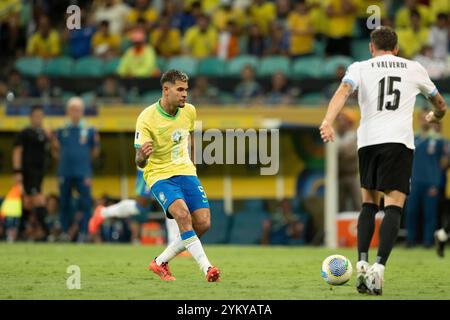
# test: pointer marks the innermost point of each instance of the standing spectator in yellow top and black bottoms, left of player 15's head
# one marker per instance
(341, 18)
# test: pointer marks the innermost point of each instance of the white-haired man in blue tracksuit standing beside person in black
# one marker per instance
(75, 146)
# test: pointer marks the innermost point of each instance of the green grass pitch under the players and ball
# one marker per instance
(38, 271)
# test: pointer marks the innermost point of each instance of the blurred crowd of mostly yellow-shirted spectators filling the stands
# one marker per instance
(144, 34)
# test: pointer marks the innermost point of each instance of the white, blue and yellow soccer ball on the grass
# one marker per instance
(336, 270)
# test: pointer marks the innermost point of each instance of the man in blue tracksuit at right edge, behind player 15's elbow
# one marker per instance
(426, 183)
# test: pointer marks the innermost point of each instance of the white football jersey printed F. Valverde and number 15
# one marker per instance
(387, 88)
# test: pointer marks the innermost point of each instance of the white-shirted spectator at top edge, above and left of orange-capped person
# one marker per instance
(113, 11)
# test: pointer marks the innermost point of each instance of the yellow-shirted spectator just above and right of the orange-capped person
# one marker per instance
(166, 39)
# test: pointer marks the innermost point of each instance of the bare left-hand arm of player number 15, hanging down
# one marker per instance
(335, 106)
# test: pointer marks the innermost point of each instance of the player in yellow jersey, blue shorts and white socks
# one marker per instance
(163, 133)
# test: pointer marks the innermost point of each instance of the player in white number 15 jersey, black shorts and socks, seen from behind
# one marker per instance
(387, 86)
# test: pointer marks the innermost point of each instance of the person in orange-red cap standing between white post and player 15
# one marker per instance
(349, 188)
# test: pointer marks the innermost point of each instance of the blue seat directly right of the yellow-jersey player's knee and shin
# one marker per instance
(220, 223)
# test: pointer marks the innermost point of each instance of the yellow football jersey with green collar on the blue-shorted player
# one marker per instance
(170, 136)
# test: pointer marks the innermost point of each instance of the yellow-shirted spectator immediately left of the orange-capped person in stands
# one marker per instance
(104, 43)
